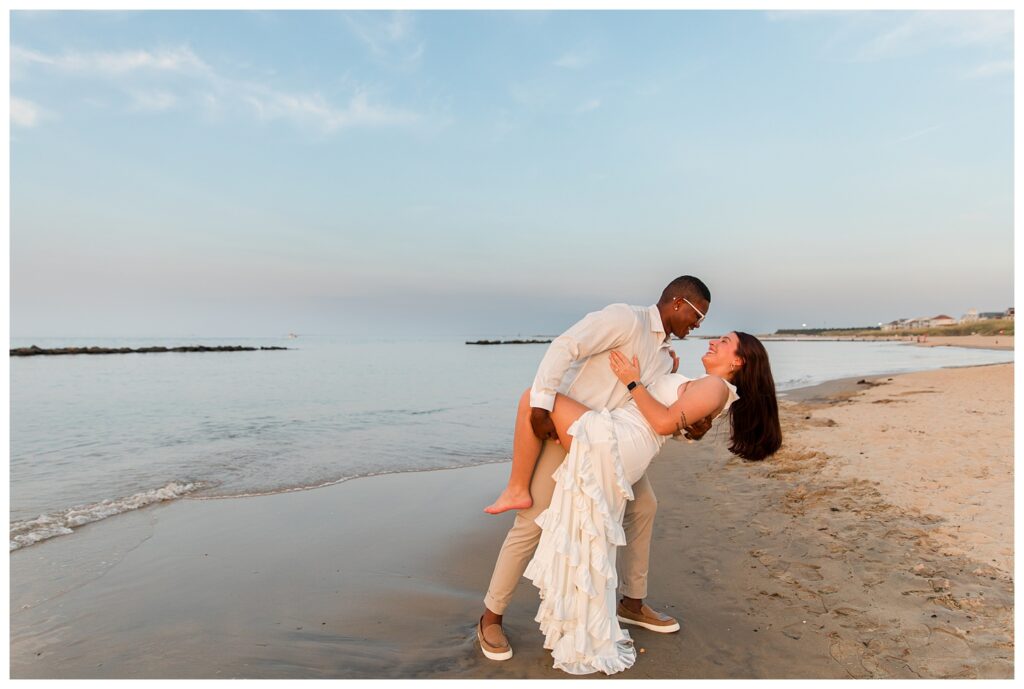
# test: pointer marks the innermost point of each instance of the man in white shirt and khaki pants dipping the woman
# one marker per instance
(577, 365)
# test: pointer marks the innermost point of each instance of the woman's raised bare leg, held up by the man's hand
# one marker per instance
(527, 450)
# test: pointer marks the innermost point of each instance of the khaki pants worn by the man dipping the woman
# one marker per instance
(523, 538)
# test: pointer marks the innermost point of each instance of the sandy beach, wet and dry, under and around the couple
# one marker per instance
(878, 543)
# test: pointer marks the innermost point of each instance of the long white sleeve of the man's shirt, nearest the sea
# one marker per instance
(598, 332)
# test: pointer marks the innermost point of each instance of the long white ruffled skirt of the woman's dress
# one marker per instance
(575, 564)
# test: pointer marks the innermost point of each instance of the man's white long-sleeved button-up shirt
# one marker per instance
(577, 362)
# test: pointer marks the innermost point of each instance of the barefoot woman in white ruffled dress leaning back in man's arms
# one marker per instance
(575, 563)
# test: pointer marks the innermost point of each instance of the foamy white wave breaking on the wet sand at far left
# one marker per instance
(46, 527)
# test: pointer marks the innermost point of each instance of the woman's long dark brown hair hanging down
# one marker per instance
(756, 432)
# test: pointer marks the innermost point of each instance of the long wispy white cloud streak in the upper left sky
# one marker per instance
(219, 94)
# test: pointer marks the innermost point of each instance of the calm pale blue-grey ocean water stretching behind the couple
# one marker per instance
(96, 437)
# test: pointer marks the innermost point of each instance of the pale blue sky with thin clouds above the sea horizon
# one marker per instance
(240, 174)
